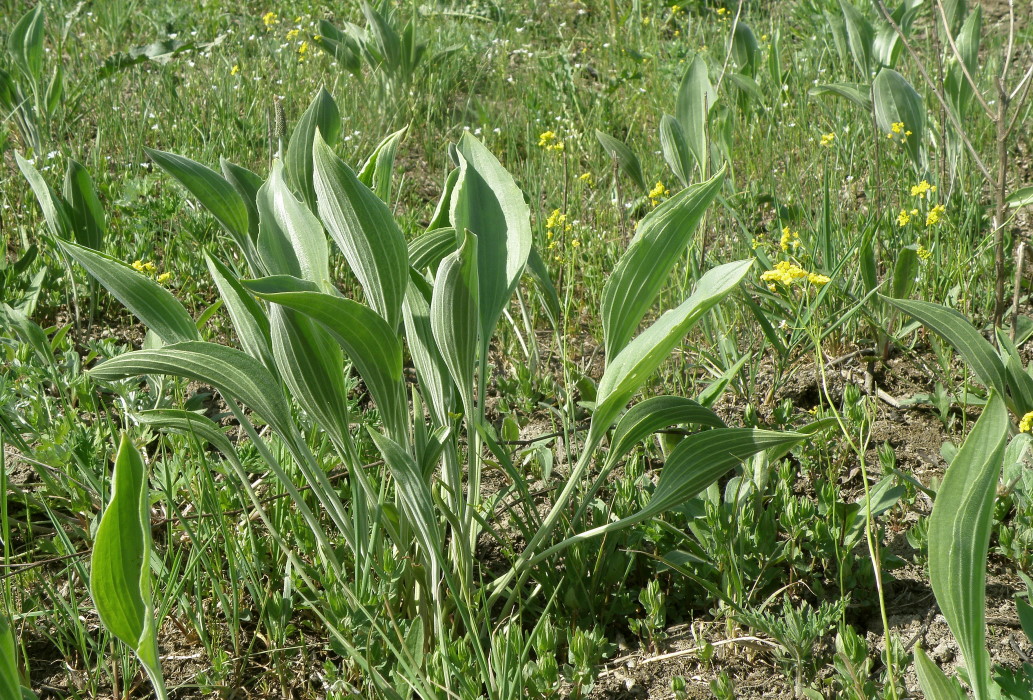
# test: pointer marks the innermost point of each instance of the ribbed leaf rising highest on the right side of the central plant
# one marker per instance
(660, 243)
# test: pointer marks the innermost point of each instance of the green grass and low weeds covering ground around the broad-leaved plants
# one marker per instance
(249, 598)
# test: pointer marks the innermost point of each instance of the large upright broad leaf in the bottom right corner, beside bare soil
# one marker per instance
(959, 539)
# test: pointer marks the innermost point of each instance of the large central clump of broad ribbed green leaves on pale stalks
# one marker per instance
(403, 538)
